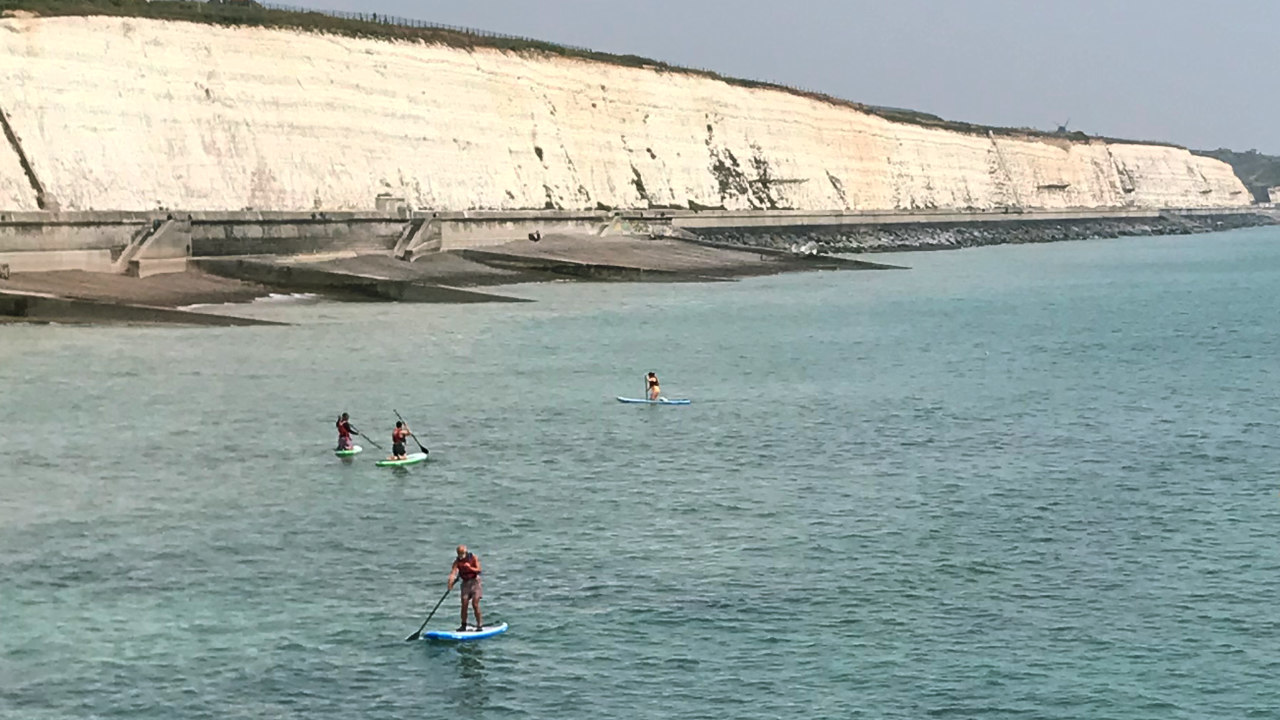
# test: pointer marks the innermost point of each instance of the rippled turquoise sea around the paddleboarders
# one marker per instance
(1013, 482)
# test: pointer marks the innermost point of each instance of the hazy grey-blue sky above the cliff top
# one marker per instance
(1197, 74)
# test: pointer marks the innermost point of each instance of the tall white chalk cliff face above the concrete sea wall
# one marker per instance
(135, 115)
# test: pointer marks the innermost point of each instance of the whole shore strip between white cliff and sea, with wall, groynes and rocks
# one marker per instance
(138, 267)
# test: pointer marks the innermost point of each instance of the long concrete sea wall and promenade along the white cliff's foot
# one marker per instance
(164, 241)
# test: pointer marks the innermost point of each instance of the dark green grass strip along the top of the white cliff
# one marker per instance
(245, 13)
